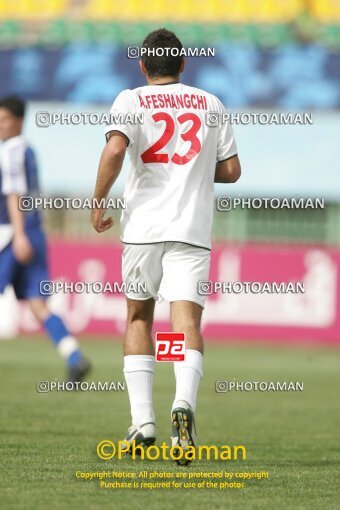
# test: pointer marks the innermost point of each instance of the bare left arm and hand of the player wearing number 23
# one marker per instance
(110, 165)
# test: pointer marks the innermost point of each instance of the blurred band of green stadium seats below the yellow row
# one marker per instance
(62, 31)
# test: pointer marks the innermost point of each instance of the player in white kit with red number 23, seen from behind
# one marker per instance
(175, 158)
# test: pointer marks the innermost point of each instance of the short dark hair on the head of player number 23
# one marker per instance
(165, 65)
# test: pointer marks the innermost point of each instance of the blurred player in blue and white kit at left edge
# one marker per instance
(23, 257)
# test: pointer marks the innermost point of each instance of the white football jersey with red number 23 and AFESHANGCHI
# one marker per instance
(170, 187)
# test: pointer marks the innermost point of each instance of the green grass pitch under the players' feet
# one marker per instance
(295, 436)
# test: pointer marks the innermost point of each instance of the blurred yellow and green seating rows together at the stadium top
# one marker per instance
(266, 23)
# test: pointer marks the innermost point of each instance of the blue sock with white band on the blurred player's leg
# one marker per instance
(65, 343)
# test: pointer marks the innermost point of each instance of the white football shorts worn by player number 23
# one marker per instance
(167, 271)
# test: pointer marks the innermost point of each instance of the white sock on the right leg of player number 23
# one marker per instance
(188, 374)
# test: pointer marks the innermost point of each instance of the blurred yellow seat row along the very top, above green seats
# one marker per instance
(230, 11)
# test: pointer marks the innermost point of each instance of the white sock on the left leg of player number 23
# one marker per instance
(138, 372)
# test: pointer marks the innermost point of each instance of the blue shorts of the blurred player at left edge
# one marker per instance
(25, 278)
